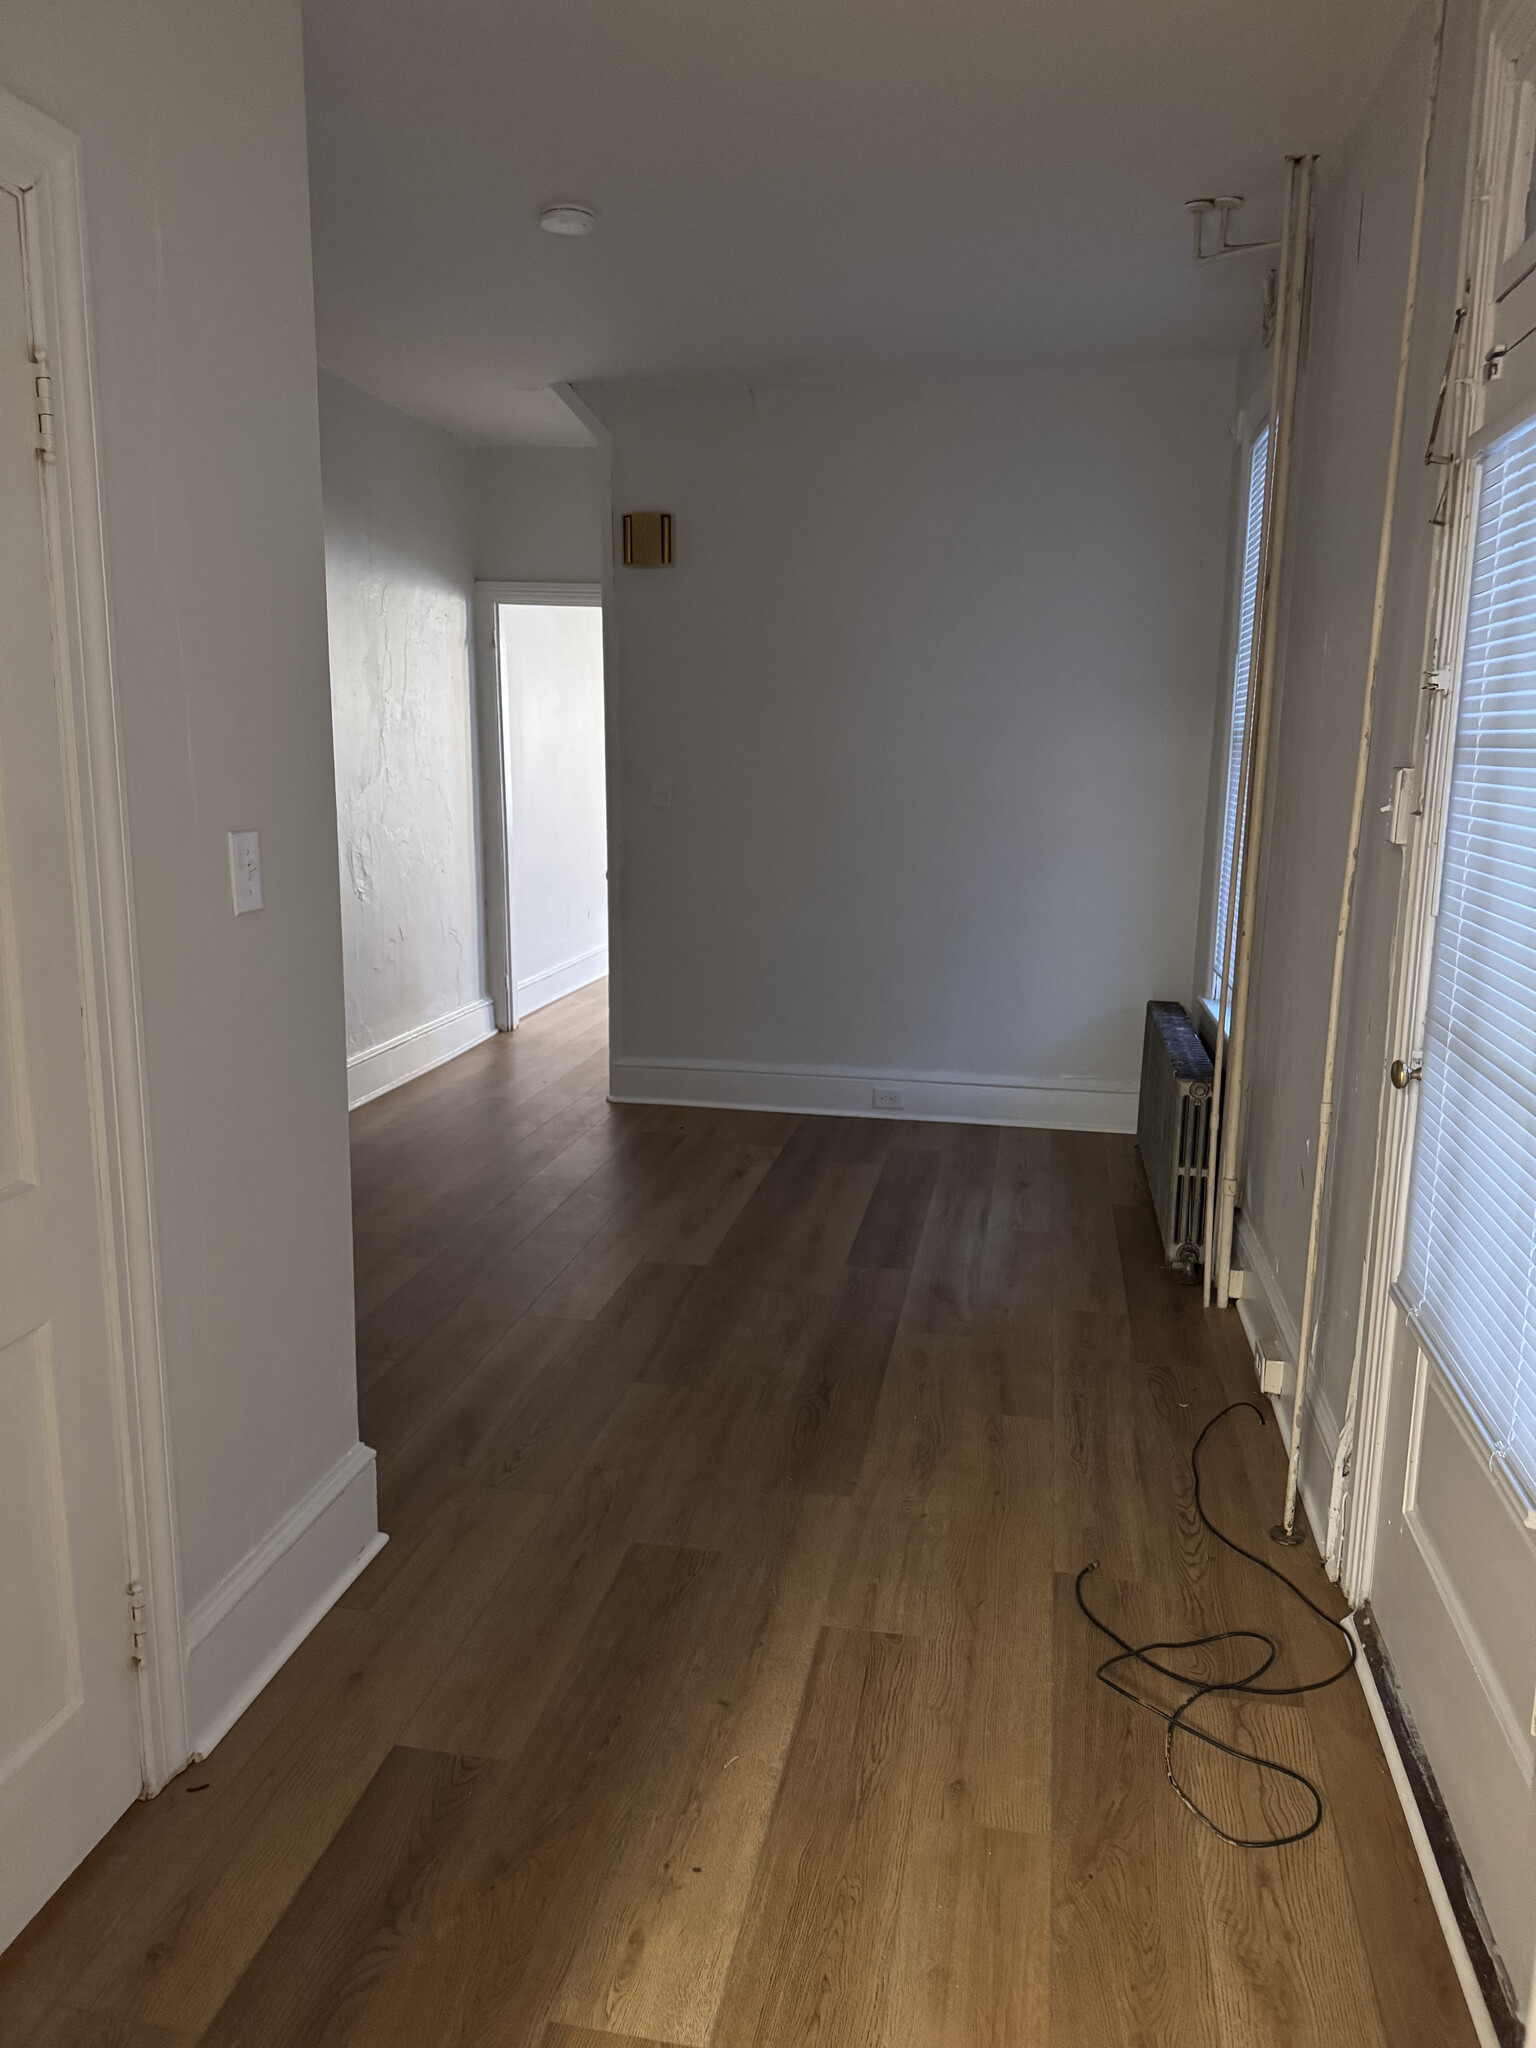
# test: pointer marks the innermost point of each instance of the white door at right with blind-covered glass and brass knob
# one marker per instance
(1455, 1576)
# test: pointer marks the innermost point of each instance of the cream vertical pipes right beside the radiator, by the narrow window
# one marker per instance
(1256, 734)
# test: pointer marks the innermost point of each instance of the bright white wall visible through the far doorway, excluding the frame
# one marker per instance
(556, 798)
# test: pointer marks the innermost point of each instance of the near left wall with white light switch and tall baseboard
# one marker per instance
(204, 343)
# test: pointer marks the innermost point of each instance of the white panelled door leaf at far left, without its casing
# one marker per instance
(69, 1689)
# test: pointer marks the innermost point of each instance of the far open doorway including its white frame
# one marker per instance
(544, 792)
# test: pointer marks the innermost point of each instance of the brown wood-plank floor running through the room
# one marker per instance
(722, 1680)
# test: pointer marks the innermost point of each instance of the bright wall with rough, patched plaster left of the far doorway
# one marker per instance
(400, 581)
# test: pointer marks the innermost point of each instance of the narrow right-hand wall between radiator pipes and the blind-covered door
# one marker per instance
(1342, 445)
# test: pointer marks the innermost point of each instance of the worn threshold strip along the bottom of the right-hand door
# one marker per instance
(1486, 1986)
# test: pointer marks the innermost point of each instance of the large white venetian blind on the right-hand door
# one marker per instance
(1474, 1205)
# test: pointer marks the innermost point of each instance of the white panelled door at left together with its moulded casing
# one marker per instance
(91, 1693)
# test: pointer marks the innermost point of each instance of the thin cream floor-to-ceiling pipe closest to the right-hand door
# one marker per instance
(1308, 1338)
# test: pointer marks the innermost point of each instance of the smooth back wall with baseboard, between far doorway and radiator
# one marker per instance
(933, 683)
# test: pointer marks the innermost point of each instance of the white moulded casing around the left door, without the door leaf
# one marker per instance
(40, 161)
